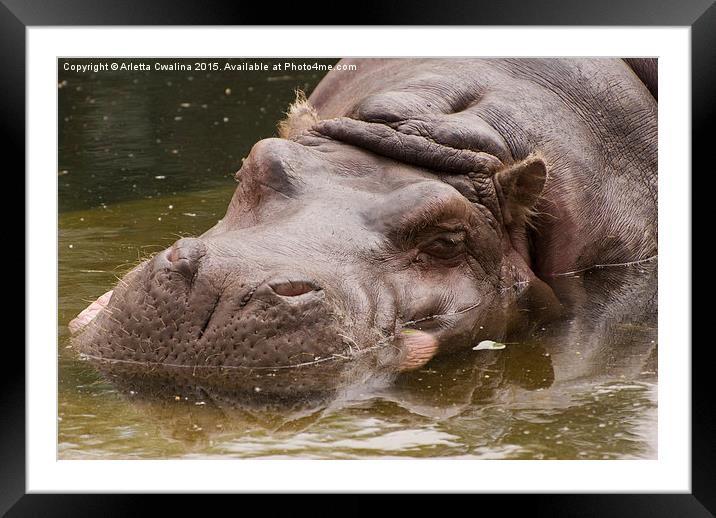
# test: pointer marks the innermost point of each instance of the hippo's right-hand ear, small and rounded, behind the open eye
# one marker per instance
(520, 186)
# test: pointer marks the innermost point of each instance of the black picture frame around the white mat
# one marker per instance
(17, 15)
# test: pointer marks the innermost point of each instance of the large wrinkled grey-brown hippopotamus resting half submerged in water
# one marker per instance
(408, 209)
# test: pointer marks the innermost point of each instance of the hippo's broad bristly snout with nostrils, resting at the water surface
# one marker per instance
(223, 320)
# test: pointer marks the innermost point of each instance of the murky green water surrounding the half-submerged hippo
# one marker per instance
(147, 157)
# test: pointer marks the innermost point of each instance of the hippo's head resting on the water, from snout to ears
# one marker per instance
(333, 264)
